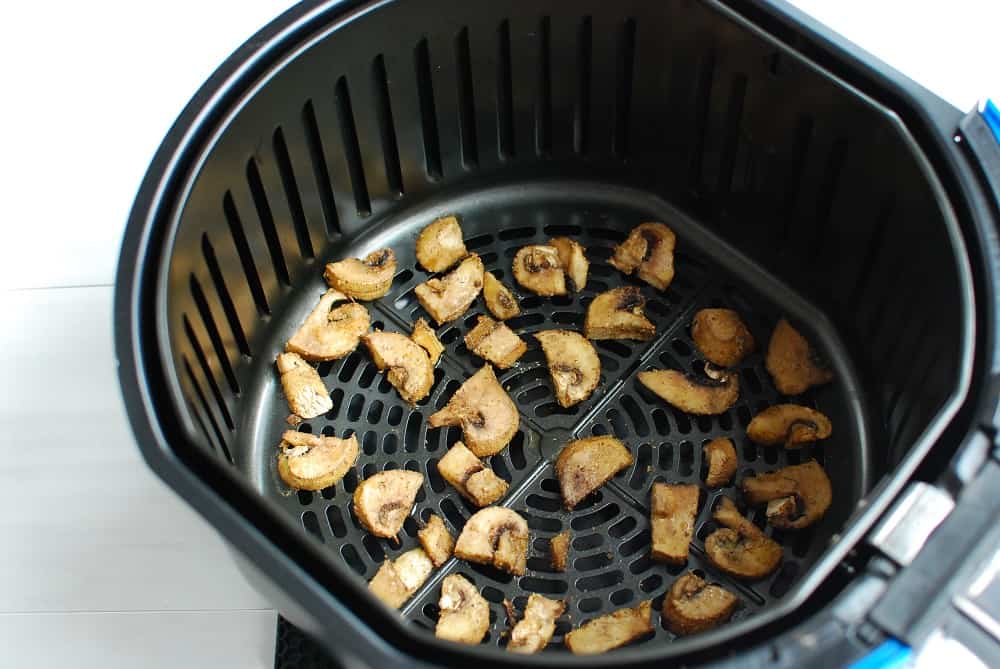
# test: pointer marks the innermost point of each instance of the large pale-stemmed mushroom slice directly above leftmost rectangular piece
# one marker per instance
(330, 333)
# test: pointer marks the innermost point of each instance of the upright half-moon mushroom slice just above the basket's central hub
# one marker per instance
(573, 365)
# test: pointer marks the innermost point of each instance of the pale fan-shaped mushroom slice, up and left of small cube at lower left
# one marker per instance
(382, 502)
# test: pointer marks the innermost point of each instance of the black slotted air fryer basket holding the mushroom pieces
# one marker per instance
(347, 127)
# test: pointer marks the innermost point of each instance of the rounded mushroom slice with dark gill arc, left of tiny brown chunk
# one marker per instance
(496, 536)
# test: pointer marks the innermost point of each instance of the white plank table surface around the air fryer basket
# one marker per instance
(101, 565)
